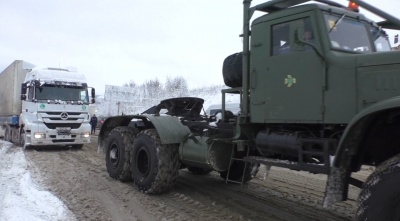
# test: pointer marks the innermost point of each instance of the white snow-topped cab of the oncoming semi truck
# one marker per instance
(55, 108)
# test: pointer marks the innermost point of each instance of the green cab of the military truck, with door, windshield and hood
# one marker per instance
(315, 57)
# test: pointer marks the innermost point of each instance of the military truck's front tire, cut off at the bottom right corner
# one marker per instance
(380, 195)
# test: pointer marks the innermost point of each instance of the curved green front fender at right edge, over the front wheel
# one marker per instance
(350, 148)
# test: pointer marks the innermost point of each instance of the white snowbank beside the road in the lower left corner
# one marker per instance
(21, 198)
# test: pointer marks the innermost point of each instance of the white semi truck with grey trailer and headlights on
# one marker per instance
(44, 106)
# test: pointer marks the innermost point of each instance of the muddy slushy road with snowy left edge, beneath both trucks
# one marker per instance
(75, 185)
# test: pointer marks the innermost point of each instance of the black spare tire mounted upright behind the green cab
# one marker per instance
(232, 70)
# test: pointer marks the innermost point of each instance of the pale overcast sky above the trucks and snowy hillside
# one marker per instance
(114, 42)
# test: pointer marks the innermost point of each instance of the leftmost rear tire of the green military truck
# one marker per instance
(118, 146)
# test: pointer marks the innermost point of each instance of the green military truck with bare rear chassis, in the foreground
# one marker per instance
(319, 89)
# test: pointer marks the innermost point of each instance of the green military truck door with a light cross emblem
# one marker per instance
(286, 76)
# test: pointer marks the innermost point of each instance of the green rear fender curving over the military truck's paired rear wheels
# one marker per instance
(169, 128)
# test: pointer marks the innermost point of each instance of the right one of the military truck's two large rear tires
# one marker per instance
(154, 165)
